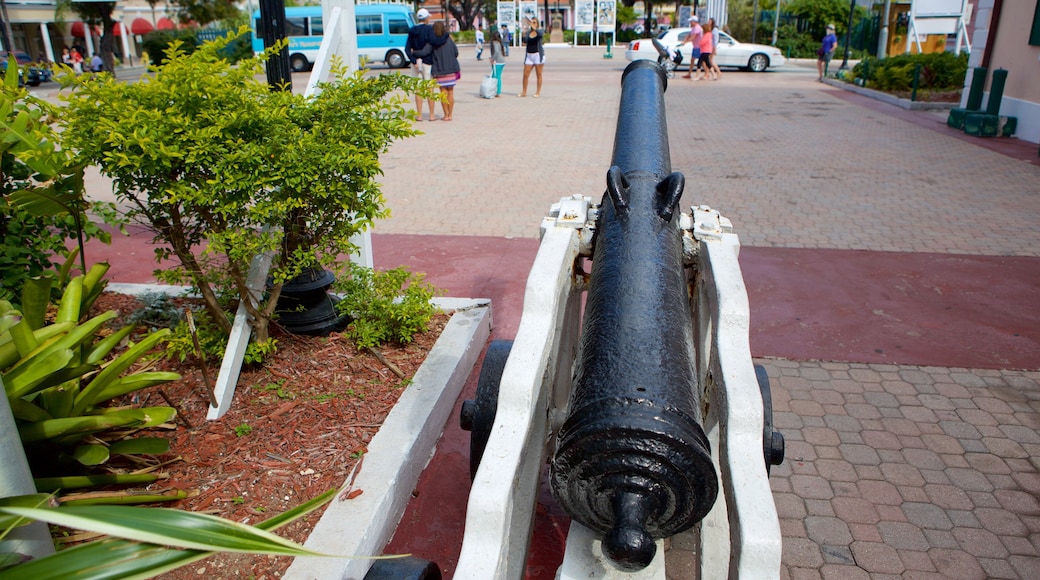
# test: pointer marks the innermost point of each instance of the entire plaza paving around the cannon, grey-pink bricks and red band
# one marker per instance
(894, 275)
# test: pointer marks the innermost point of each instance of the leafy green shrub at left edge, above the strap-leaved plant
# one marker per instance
(42, 202)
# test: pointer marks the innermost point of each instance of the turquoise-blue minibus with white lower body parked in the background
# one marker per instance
(382, 34)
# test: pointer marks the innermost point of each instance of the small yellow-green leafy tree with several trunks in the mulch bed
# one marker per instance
(222, 169)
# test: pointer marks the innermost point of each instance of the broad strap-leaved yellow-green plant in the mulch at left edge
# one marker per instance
(59, 378)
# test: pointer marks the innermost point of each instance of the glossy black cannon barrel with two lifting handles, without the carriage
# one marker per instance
(633, 462)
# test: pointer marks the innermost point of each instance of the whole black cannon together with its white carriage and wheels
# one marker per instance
(646, 406)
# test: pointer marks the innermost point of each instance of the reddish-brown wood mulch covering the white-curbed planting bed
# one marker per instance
(310, 411)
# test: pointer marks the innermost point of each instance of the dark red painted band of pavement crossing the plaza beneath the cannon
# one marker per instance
(897, 308)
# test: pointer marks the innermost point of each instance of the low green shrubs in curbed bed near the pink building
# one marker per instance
(940, 71)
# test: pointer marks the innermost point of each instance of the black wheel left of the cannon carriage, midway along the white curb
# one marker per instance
(479, 415)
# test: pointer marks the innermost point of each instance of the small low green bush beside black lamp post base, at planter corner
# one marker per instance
(391, 306)
